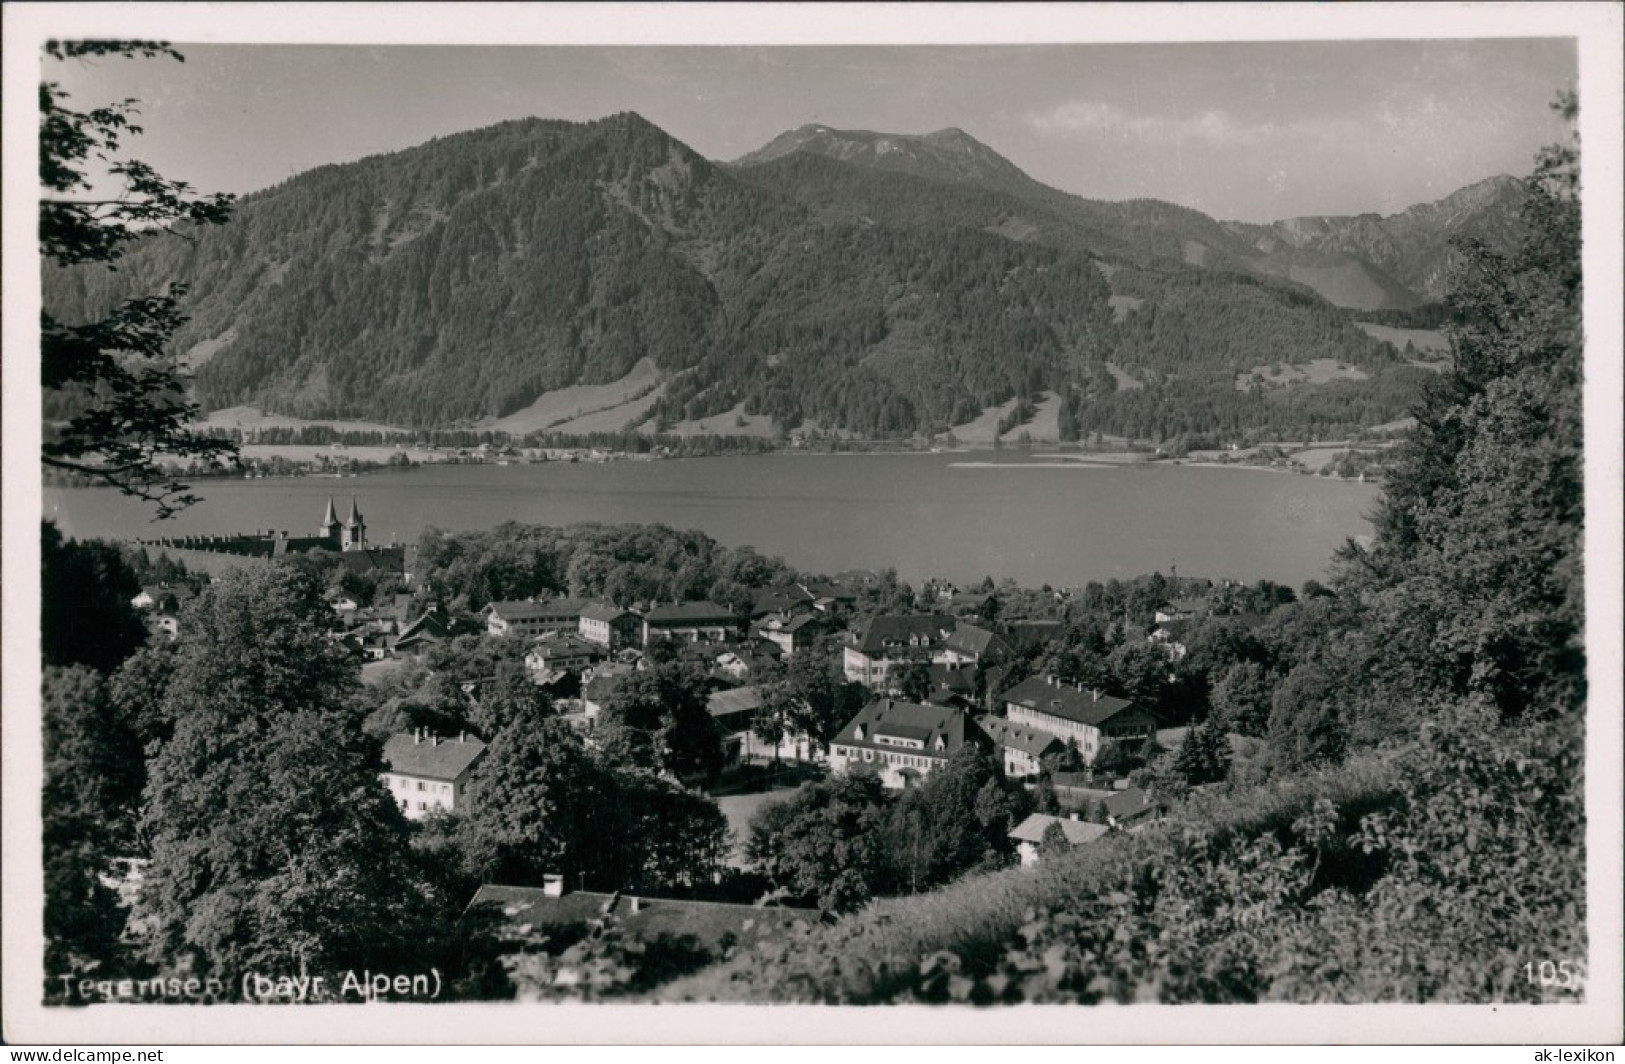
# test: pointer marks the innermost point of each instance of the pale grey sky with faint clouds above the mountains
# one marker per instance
(1239, 131)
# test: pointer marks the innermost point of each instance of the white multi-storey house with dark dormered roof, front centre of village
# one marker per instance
(901, 742)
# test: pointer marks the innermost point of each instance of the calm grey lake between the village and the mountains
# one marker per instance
(951, 516)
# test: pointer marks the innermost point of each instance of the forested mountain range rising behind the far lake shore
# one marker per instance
(864, 283)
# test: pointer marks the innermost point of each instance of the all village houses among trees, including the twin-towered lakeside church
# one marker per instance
(579, 651)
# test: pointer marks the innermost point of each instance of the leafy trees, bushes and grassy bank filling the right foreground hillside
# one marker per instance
(1421, 833)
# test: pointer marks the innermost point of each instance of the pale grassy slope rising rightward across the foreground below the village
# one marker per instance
(873, 956)
